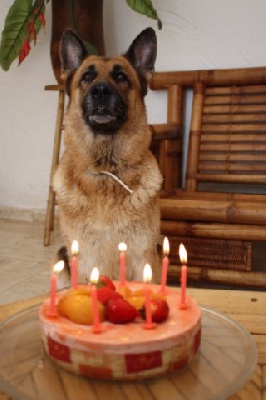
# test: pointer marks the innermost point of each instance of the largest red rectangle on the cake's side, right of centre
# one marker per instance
(143, 362)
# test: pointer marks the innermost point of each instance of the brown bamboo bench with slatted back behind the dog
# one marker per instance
(221, 211)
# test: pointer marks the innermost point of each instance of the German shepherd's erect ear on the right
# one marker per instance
(142, 54)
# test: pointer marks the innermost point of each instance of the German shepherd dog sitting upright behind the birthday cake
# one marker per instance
(107, 181)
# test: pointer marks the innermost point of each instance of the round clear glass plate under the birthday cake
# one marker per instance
(224, 364)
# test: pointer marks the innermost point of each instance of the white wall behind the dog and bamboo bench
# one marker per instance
(196, 35)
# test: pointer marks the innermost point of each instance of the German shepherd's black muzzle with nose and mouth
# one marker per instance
(103, 108)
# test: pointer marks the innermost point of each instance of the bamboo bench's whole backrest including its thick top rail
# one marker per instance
(227, 144)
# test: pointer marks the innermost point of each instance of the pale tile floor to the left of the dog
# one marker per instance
(25, 264)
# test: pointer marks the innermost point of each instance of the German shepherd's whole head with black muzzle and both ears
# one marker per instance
(108, 87)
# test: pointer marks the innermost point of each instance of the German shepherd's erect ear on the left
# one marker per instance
(72, 52)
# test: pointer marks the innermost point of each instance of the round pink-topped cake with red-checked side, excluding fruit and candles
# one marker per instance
(126, 351)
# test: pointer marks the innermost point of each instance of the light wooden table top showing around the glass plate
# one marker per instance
(246, 307)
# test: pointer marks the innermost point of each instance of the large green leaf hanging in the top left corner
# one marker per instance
(16, 29)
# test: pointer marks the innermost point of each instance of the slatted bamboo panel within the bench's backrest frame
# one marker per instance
(228, 137)
